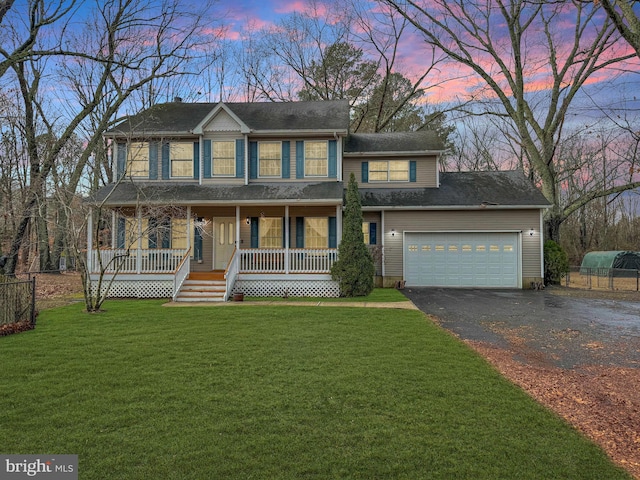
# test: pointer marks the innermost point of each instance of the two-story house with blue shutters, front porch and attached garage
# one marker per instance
(212, 199)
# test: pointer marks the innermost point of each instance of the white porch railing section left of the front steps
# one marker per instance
(150, 260)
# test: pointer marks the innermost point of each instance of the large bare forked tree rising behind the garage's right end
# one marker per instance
(510, 62)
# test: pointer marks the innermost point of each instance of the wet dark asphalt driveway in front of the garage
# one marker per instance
(539, 326)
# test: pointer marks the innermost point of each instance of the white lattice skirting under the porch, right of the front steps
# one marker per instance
(288, 288)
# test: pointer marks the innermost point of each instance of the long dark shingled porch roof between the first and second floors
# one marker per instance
(130, 194)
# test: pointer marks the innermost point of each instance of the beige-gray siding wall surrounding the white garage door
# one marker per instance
(463, 221)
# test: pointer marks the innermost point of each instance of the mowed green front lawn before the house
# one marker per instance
(143, 391)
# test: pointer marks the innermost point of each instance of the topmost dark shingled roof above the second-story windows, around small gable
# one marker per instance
(177, 118)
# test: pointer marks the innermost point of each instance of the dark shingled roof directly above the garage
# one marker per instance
(497, 190)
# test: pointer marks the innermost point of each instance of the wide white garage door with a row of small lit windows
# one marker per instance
(461, 259)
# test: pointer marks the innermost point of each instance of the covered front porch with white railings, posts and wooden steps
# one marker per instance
(208, 253)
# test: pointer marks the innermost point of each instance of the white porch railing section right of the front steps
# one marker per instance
(295, 260)
